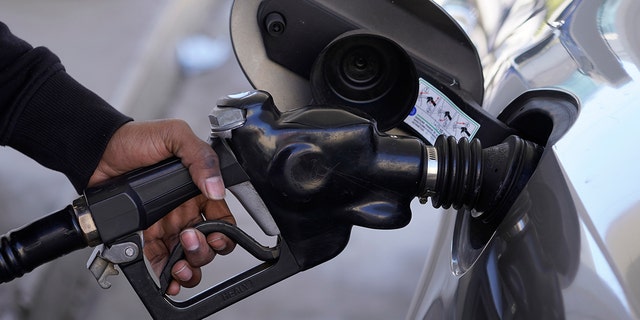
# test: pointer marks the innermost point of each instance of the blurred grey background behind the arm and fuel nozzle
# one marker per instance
(173, 59)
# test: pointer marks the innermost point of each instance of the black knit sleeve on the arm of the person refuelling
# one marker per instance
(47, 115)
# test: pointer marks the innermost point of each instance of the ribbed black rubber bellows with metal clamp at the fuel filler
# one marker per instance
(483, 180)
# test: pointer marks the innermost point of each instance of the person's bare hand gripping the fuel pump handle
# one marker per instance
(140, 144)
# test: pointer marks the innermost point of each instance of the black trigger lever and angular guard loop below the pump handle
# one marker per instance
(278, 264)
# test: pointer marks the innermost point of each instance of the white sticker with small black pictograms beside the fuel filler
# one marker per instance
(434, 114)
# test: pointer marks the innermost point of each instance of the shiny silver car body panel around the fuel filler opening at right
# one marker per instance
(568, 247)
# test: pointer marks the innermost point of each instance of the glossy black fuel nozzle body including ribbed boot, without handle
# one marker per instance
(323, 169)
